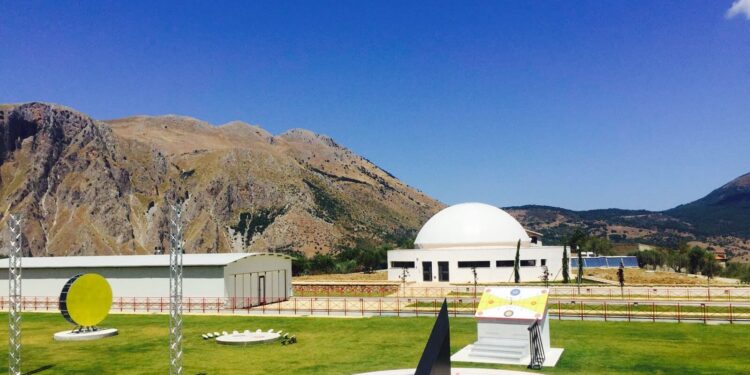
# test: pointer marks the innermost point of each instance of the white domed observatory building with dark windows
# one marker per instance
(474, 236)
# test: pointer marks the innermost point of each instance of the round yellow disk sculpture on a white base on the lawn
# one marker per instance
(85, 300)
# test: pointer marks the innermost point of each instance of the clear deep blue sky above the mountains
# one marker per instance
(585, 104)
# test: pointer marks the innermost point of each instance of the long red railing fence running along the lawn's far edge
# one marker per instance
(641, 310)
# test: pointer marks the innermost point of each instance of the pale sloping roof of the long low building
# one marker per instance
(188, 260)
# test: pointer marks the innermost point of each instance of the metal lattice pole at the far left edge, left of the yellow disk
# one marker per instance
(14, 296)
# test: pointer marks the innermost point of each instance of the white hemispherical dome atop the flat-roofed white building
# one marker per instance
(469, 225)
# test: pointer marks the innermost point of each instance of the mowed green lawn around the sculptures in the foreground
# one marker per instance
(348, 345)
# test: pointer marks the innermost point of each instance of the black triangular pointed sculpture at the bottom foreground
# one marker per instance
(436, 358)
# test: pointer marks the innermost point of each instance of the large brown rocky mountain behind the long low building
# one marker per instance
(105, 187)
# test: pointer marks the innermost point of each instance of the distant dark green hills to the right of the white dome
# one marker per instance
(719, 220)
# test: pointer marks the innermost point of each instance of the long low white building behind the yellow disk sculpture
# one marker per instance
(245, 278)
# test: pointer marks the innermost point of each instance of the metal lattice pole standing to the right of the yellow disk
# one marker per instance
(175, 290)
